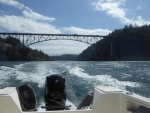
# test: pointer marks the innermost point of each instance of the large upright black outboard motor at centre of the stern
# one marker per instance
(55, 93)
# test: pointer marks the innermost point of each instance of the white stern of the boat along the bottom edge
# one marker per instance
(106, 100)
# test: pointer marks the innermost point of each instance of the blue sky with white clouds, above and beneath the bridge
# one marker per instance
(98, 17)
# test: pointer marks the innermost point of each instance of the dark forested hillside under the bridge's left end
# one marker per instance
(11, 49)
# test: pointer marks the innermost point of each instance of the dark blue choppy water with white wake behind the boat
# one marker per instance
(80, 76)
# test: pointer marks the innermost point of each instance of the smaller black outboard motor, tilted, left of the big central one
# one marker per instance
(27, 98)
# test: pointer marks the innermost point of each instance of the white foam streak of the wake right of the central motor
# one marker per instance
(104, 79)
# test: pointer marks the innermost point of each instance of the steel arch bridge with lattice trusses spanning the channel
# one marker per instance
(28, 39)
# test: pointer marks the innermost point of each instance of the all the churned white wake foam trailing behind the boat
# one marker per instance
(43, 69)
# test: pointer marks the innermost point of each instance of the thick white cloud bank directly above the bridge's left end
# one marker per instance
(21, 24)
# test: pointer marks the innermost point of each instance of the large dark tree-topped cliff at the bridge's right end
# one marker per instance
(129, 44)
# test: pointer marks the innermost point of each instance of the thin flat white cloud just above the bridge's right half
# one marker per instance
(76, 30)
